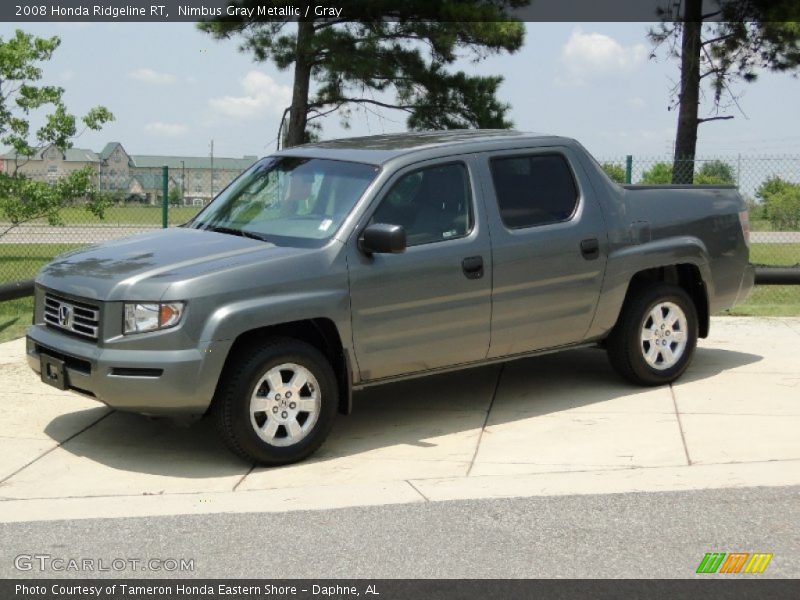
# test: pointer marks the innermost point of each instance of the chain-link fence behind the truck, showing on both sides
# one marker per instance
(771, 185)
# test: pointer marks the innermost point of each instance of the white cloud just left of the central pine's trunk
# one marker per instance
(262, 94)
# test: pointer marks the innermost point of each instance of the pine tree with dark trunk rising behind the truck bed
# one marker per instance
(746, 36)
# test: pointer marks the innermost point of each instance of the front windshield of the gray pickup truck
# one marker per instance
(289, 201)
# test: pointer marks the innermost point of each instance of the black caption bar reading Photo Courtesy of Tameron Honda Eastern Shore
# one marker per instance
(709, 588)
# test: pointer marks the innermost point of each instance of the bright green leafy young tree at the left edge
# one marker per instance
(21, 100)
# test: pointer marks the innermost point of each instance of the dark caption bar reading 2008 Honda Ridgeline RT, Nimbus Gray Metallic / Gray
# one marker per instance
(23, 11)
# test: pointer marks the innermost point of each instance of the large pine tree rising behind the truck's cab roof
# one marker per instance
(399, 48)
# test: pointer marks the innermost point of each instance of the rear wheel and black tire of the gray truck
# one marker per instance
(663, 357)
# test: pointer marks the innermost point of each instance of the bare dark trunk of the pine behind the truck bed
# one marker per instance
(689, 98)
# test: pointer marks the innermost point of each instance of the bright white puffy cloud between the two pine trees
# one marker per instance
(588, 56)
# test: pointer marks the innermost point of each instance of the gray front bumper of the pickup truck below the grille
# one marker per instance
(178, 383)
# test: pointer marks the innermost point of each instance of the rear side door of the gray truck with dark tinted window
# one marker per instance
(549, 249)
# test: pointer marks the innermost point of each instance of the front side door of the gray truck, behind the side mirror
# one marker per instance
(429, 307)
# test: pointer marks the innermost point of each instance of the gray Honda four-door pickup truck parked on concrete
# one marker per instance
(338, 265)
